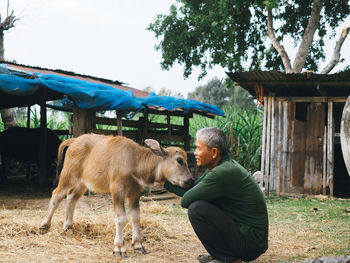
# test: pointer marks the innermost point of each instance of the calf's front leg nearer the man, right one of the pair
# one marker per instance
(134, 204)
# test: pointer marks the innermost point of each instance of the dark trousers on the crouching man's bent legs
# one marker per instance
(218, 233)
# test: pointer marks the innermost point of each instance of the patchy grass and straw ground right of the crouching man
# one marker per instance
(312, 227)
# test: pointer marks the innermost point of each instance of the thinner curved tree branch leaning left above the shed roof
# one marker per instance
(276, 44)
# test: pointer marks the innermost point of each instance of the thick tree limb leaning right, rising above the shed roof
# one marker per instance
(308, 36)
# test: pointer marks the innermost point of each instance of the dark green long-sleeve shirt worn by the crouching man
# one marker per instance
(231, 188)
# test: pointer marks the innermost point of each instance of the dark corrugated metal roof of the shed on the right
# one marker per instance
(295, 84)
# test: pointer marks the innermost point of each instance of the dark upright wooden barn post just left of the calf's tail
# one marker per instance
(43, 169)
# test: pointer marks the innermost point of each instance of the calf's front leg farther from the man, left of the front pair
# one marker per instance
(120, 220)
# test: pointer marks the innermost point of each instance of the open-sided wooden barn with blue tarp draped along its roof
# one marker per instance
(23, 86)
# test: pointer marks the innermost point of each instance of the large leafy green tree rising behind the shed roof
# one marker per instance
(231, 33)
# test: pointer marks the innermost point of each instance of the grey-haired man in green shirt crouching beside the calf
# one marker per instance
(226, 207)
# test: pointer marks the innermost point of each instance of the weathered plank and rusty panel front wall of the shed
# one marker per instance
(298, 155)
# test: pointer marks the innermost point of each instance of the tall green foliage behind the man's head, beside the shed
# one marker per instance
(246, 126)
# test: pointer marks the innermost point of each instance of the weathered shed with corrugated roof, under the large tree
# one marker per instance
(301, 151)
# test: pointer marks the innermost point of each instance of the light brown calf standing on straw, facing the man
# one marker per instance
(116, 165)
